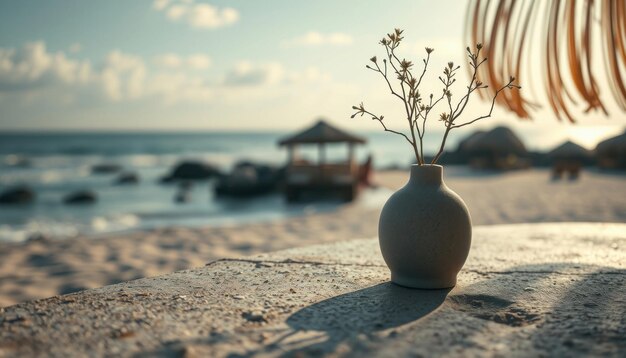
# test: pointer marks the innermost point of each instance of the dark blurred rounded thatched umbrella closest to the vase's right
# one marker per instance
(498, 148)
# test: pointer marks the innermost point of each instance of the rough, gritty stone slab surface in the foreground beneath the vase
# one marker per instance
(526, 290)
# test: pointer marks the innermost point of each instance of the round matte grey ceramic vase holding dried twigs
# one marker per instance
(425, 231)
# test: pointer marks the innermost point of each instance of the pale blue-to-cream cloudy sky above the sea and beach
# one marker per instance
(222, 65)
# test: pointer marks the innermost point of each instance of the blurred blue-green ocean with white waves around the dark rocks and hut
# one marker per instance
(55, 164)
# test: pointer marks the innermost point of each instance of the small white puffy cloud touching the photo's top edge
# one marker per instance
(203, 16)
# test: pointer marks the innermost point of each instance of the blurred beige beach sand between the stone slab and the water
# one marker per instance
(39, 269)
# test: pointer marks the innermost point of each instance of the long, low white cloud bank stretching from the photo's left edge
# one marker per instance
(33, 72)
